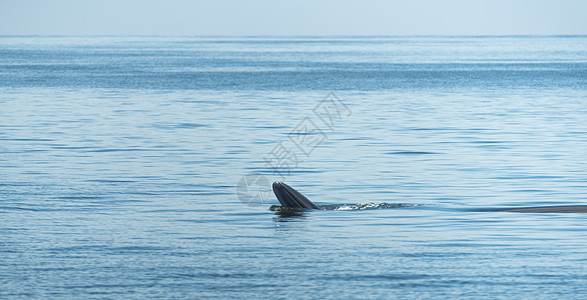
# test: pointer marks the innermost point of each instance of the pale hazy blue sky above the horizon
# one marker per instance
(300, 17)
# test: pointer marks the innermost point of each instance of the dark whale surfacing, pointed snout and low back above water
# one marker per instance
(291, 198)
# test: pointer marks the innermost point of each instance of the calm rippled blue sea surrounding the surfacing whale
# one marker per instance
(121, 158)
